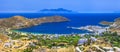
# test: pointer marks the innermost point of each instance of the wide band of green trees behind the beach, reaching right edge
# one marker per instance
(50, 41)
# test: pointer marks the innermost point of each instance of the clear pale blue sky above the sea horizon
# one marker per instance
(83, 6)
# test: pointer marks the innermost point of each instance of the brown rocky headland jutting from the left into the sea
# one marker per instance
(17, 22)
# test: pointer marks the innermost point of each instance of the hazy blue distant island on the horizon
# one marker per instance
(58, 10)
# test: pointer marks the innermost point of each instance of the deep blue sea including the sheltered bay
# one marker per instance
(76, 20)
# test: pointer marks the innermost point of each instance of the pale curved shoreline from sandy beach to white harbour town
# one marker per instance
(94, 29)
